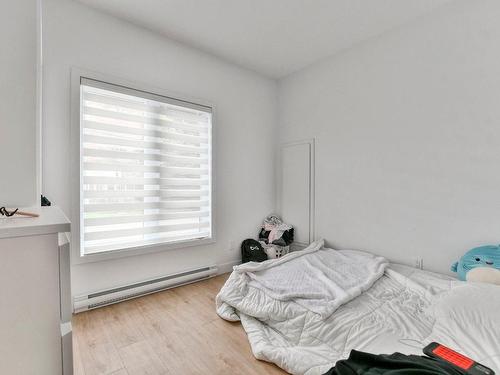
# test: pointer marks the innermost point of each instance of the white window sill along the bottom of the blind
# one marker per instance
(141, 250)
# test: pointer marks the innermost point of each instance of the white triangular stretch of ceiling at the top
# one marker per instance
(272, 37)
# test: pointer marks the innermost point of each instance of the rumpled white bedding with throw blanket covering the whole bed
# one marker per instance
(335, 301)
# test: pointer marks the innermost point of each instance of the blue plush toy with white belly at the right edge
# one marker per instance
(481, 264)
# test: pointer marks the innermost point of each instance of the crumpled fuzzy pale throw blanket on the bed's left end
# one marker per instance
(315, 279)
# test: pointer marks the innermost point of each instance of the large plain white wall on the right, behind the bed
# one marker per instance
(408, 137)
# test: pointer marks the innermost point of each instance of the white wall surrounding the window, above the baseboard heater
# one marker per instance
(75, 35)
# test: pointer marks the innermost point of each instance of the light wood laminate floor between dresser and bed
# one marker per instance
(172, 332)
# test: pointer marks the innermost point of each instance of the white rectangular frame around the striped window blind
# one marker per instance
(76, 170)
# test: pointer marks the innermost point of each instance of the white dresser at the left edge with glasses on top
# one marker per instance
(35, 302)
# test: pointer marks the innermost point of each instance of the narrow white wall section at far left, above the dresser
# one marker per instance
(18, 61)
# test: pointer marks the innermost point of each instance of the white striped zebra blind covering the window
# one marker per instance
(145, 169)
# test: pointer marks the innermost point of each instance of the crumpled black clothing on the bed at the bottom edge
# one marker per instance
(391, 364)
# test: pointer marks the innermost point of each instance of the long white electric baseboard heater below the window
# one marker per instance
(107, 297)
